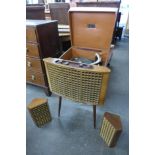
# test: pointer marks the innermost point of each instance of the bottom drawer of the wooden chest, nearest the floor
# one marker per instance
(35, 77)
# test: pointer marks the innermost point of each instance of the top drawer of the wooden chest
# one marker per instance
(31, 34)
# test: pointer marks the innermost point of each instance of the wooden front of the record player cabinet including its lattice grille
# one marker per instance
(84, 85)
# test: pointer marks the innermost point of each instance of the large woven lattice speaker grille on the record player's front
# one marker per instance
(79, 85)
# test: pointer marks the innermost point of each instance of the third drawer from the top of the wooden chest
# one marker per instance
(33, 64)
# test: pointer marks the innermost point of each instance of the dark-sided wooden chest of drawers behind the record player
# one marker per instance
(42, 41)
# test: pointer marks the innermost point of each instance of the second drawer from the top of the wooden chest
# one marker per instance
(32, 50)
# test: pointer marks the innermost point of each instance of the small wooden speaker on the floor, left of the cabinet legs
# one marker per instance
(39, 111)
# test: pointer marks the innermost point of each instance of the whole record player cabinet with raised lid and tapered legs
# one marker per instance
(80, 74)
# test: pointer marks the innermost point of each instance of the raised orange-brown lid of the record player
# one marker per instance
(92, 27)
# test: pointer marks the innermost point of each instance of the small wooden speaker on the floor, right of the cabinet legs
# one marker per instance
(111, 128)
